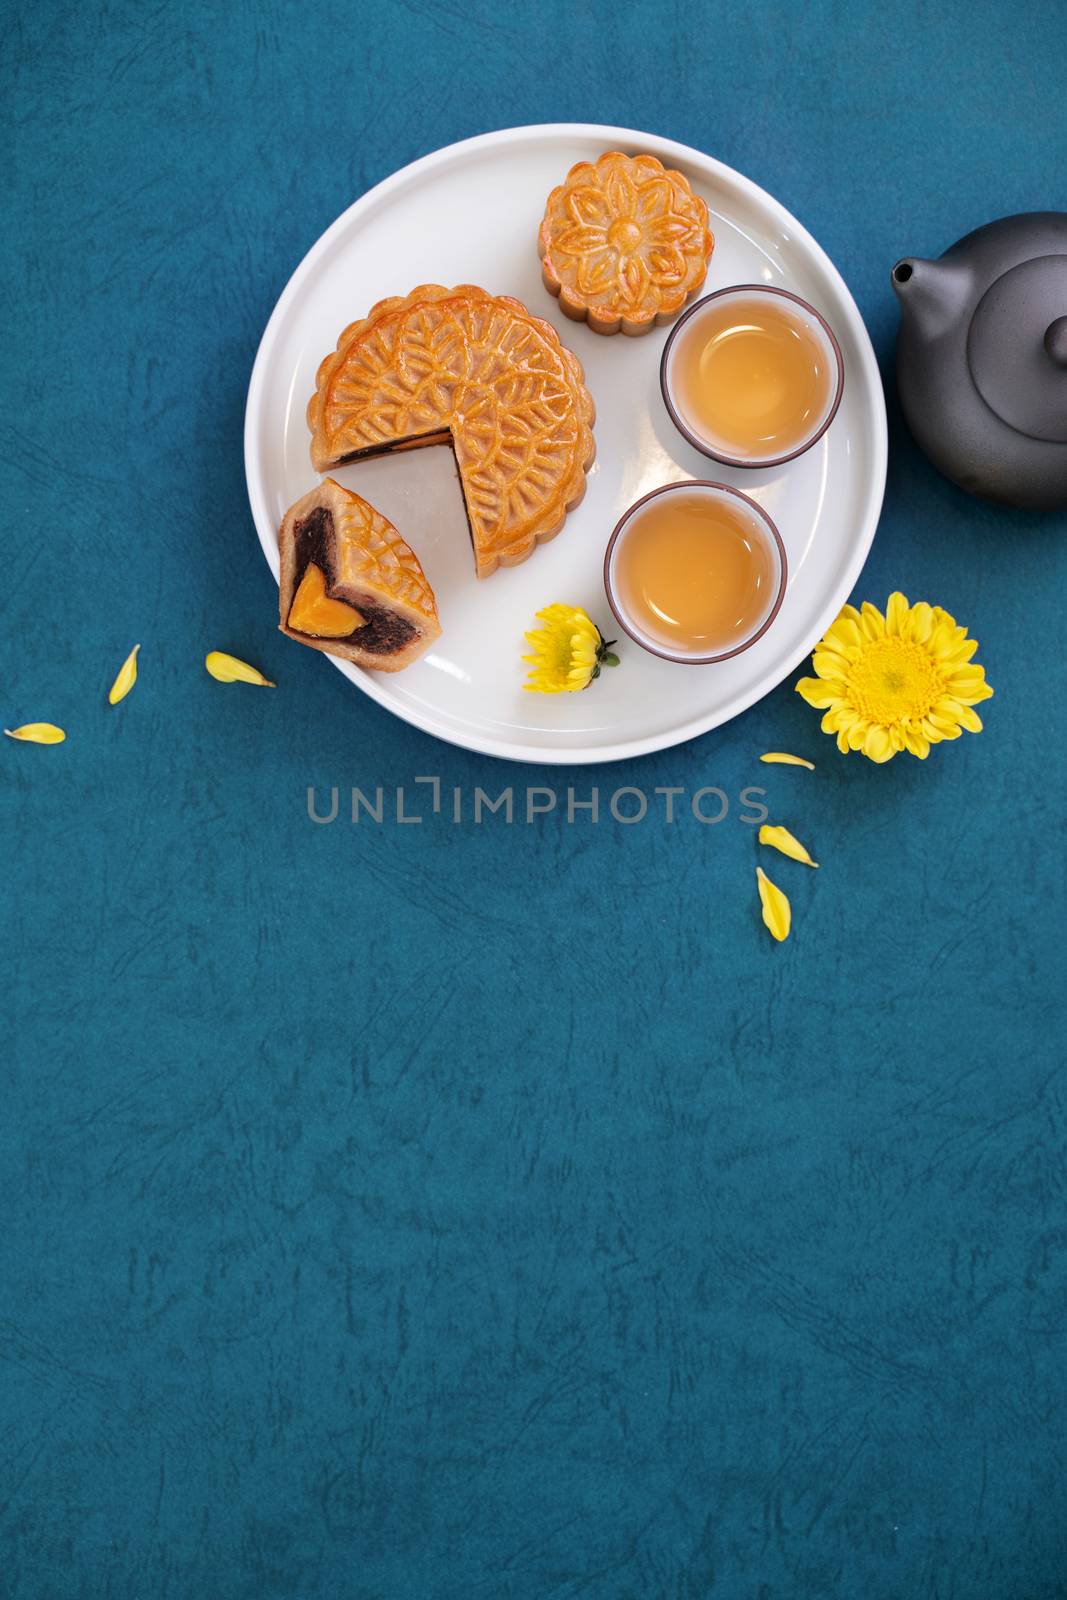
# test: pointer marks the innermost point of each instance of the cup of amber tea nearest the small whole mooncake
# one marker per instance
(753, 377)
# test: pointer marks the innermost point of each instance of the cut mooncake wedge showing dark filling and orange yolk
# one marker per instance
(350, 585)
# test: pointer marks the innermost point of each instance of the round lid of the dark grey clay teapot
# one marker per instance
(1018, 348)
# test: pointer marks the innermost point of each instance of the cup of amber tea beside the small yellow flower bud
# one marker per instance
(695, 572)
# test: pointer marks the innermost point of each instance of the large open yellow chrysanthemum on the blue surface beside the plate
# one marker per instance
(897, 682)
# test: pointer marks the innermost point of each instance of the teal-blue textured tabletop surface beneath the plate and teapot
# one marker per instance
(497, 1212)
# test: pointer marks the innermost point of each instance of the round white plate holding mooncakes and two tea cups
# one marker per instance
(470, 215)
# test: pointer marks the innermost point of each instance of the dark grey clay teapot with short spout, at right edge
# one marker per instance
(983, 359)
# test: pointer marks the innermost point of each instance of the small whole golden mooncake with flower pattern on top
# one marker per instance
(625, 244)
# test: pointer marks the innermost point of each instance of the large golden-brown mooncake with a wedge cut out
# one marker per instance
(482, 370)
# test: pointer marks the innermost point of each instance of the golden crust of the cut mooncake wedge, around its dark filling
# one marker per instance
(366, 559)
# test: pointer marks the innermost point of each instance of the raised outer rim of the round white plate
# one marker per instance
(625, 750)
